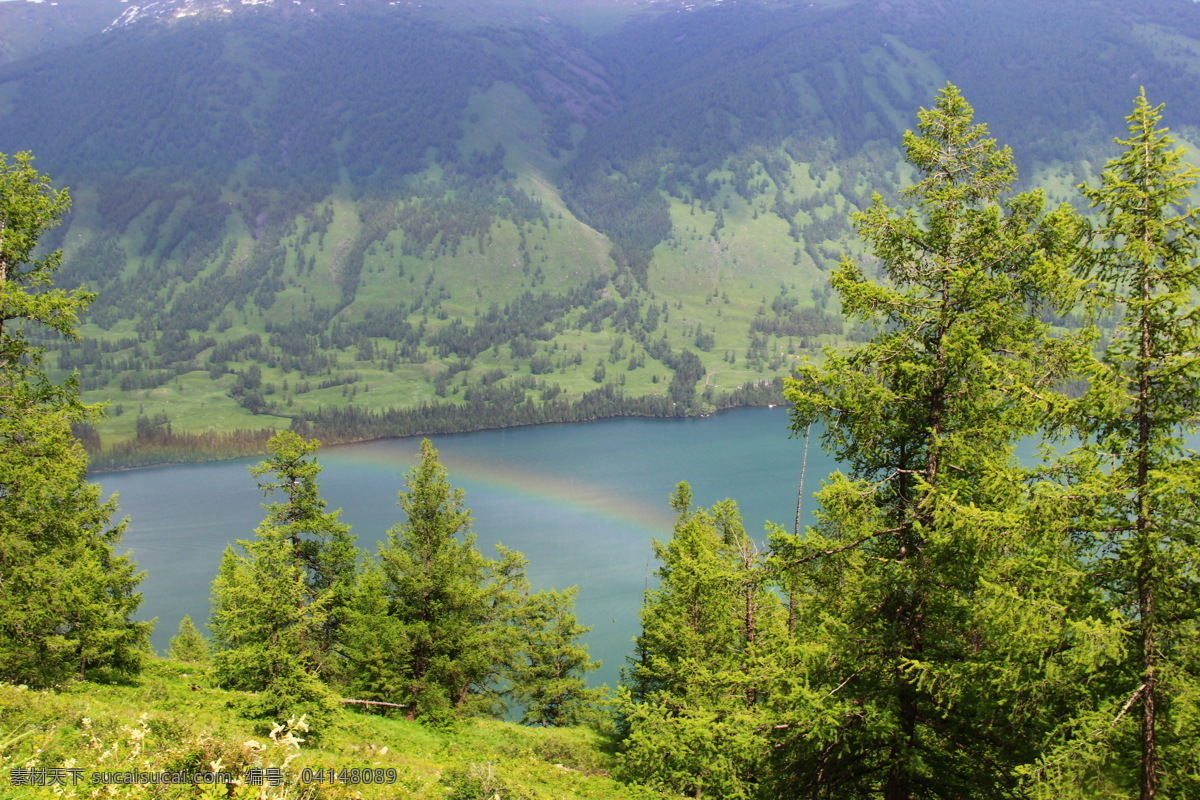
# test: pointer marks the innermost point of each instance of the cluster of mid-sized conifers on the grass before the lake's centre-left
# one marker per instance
(431, 627)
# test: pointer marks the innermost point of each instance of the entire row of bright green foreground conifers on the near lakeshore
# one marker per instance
(957, 624)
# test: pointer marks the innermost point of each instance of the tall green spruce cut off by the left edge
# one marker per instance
(67, 599)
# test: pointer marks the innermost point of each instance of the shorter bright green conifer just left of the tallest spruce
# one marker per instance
(692, 702)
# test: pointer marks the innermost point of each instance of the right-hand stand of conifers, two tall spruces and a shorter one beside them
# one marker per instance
(959, 624)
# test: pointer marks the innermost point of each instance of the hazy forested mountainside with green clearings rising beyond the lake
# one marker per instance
(368, 218)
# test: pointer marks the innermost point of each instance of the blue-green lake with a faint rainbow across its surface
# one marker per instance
(583, 502)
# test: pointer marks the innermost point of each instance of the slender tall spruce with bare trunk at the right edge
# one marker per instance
(1144, 526)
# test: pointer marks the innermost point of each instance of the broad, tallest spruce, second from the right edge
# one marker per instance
(923, 600)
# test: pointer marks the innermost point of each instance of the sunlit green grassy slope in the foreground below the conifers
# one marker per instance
(175, 719)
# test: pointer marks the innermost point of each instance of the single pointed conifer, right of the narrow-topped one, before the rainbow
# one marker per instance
(436, 624)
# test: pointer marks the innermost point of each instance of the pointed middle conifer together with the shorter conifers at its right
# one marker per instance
(439, 628)
